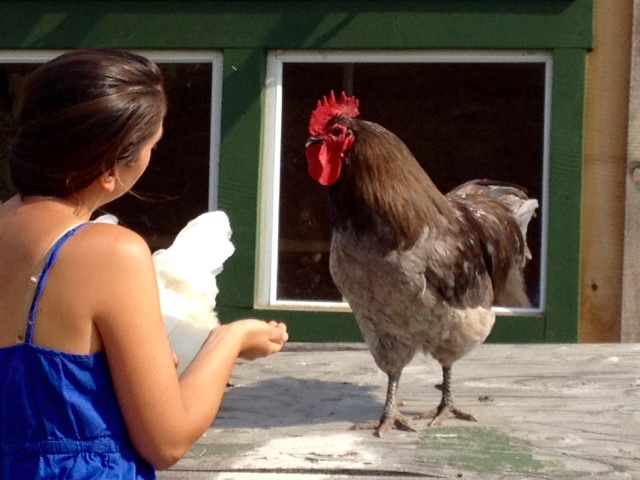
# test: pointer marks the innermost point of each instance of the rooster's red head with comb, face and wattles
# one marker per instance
(329, 139)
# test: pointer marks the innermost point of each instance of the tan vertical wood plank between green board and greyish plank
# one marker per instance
(605, 151)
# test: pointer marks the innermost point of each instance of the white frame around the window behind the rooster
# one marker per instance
(268, 226)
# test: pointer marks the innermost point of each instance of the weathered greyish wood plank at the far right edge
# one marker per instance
(630, 324)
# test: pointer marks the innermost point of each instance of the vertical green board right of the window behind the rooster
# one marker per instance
(565, 196)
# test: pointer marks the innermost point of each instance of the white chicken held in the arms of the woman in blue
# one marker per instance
(186, 274)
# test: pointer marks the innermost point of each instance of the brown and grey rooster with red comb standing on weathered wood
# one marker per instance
(419, 269)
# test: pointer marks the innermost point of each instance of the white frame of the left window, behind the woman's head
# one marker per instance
(162, 56)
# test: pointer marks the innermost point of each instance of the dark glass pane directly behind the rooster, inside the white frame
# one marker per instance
(461, 121)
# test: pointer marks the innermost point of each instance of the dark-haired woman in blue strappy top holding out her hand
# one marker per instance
(88, 385)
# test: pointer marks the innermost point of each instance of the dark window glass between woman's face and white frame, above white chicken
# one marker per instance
(175, 187)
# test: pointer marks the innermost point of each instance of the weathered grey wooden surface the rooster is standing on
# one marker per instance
(544, 411)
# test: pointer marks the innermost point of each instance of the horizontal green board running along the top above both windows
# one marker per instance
(297, 24)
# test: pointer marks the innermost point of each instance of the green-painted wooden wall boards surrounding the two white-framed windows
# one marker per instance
(246, 30)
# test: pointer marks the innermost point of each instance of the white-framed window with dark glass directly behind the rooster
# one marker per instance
(463, 114)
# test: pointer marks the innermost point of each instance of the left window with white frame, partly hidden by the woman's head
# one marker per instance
(182, 179)
